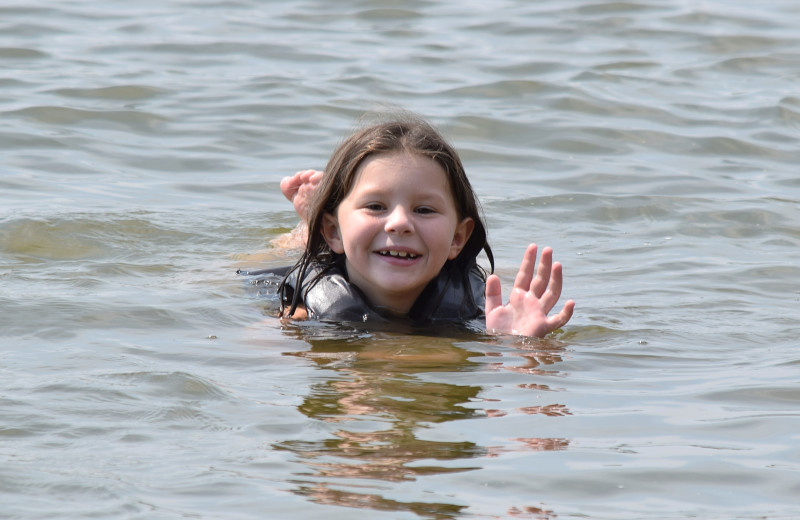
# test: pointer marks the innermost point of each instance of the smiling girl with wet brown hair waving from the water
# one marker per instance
(392, 231)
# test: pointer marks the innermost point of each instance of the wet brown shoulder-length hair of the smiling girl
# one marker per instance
(399, 133)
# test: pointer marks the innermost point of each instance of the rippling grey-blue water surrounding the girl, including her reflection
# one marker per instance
(652, 143)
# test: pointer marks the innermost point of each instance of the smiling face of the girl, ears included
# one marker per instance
(396, 227)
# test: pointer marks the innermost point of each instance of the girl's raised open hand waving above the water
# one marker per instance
(532, 298)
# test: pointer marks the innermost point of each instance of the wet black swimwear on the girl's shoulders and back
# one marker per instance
(329, 296)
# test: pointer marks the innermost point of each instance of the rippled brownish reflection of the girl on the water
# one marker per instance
(380, 395)
